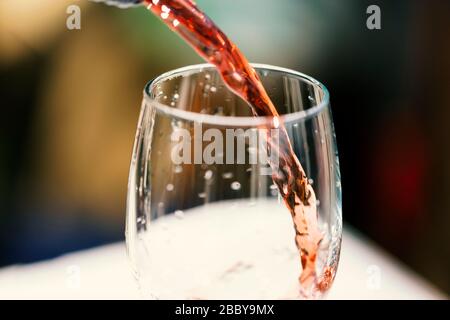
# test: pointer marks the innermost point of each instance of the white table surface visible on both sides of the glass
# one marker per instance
(365, 272)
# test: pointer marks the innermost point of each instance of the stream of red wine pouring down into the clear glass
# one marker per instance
(183, 17)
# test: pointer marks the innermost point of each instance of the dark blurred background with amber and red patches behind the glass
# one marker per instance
(70, 102)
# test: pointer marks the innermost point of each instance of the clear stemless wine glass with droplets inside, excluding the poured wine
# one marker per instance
(204, 218)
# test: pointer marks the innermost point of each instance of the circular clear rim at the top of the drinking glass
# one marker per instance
(233, 120)
